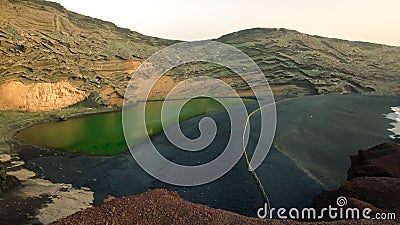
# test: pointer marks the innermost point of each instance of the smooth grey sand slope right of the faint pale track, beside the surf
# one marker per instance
(321, 132)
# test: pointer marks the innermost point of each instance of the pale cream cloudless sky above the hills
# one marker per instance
(363, 20)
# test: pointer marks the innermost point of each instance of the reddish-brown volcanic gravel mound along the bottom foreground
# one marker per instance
(161, 206)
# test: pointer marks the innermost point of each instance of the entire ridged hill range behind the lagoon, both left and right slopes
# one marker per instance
(42, 42)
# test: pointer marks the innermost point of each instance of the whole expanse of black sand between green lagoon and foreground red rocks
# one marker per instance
(315, 155)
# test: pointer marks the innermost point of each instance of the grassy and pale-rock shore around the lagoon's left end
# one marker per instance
(36, 193)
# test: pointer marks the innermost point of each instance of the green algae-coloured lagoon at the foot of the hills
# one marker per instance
(102, 134)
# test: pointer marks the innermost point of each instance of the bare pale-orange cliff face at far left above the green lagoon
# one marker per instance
(38, 96)
